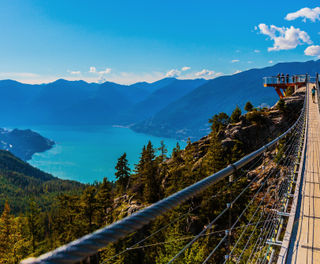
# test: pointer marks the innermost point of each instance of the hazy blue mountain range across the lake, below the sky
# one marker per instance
(169, 107)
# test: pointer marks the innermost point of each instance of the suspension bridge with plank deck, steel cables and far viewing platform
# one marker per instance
(280, 222)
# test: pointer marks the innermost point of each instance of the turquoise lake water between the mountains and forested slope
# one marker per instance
(89, 154)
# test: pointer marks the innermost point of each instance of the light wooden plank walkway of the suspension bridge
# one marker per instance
(305, 246)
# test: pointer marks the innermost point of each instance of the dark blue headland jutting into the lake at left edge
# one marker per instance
(23, 143)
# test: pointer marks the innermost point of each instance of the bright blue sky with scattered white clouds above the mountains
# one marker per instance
(143, 40)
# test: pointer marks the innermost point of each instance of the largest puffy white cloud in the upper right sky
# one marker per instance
(284, 38)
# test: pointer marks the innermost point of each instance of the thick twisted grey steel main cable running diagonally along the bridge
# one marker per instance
(88, 245)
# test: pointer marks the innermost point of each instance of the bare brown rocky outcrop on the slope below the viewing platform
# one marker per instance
(255, 128)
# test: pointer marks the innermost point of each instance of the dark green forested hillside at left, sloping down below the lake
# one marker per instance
(21, 183)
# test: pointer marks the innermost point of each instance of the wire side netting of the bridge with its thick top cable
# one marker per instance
(244, 196)
